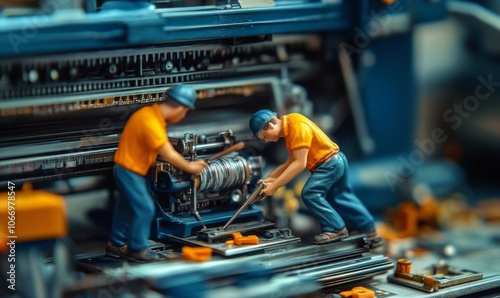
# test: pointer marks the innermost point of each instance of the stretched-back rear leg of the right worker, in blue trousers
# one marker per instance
(347, 204)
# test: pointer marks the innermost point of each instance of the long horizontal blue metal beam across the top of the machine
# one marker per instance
(116, 28)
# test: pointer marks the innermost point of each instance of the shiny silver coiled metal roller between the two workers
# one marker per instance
(224, 173)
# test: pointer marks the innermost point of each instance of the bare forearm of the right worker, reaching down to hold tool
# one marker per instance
(298, 162)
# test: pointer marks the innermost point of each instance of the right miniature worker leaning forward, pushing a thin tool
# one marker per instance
(327, 193)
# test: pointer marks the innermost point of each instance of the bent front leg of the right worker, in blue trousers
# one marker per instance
(314, 196)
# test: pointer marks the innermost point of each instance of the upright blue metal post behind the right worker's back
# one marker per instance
(388, 93)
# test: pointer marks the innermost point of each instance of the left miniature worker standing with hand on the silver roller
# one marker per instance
(143, 139)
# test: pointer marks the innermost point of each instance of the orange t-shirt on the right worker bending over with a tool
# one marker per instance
(300, 132)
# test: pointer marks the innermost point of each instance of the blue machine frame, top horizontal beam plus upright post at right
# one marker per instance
(365, 28)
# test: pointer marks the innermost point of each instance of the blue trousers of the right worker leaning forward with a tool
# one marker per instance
(329, 197)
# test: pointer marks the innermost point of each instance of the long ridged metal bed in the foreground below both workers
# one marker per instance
(291, 270)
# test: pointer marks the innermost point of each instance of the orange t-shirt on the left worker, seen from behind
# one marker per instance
(144, 133)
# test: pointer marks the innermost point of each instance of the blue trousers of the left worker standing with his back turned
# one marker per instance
(134, 211)
